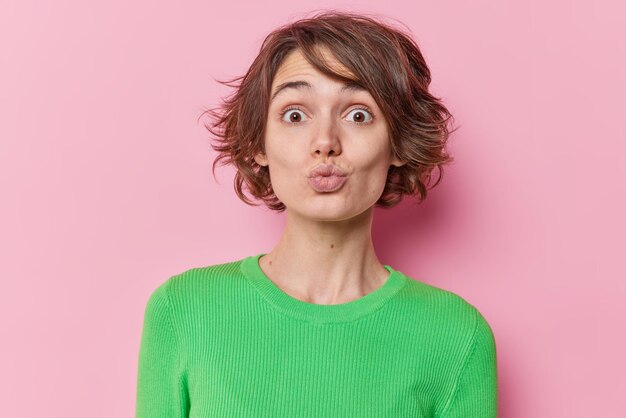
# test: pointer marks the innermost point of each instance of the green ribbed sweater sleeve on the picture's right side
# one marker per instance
(476, 390)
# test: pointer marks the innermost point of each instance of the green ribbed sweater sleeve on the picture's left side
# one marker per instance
(161, 384)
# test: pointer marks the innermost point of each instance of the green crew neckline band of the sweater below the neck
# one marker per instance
(314, 312)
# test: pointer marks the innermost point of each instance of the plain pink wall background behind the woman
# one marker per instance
(107, 191)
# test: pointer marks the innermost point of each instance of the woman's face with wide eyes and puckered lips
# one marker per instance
(320, 121)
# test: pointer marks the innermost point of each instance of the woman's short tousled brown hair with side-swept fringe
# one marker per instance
(385, 60)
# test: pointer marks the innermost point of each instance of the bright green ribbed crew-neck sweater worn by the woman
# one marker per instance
(225, 341)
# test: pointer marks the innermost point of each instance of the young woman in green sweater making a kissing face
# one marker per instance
(333, 118)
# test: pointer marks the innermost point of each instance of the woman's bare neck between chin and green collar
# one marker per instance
(325, 262)
